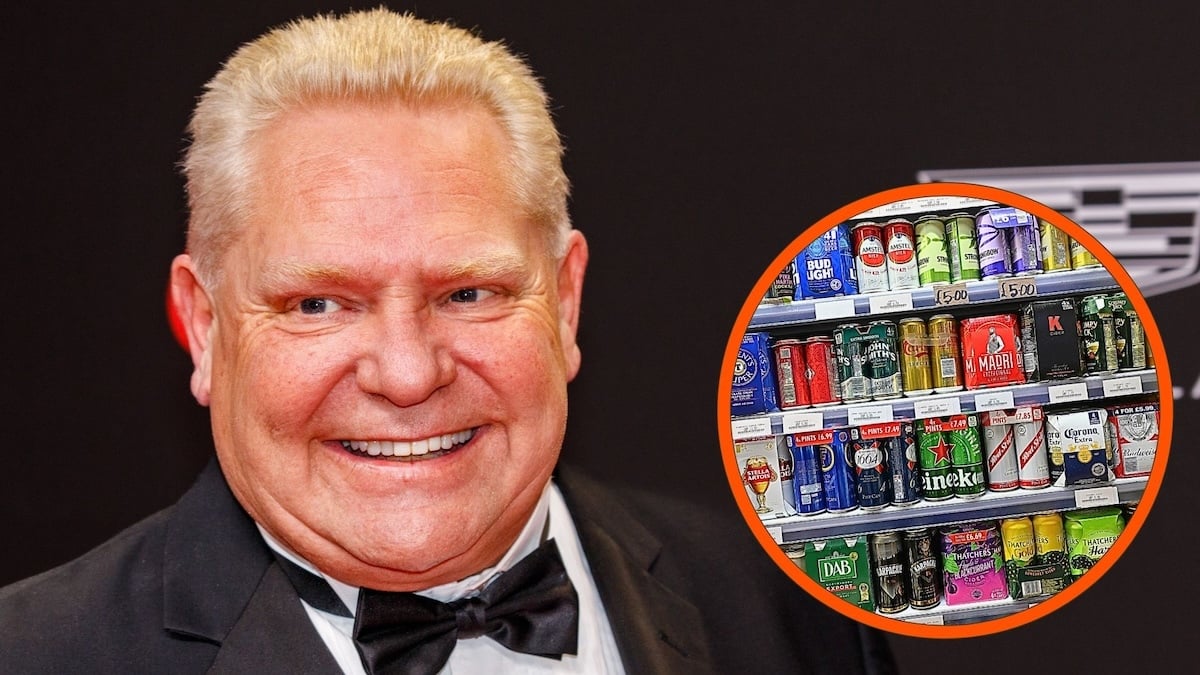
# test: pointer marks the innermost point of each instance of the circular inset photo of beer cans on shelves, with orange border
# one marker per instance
(945, 410)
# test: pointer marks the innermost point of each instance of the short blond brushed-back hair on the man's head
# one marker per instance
(371, 57)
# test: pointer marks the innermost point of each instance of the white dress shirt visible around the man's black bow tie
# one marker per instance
(597, 647)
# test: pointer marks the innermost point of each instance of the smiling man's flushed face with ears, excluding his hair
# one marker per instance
(388, 350)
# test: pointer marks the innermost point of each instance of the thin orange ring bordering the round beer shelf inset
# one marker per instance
(1154, 341)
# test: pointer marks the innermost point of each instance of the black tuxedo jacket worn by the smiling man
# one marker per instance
(195, 589)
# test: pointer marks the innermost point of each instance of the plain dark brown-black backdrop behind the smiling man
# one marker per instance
(701, 142)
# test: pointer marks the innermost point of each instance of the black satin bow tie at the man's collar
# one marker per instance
(532, 608)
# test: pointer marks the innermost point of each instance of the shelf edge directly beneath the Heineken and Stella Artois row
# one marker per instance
(929, 515)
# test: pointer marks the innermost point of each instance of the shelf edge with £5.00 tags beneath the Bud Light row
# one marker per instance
(874, 306)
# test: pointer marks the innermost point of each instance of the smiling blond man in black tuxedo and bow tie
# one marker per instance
(381, 297)
